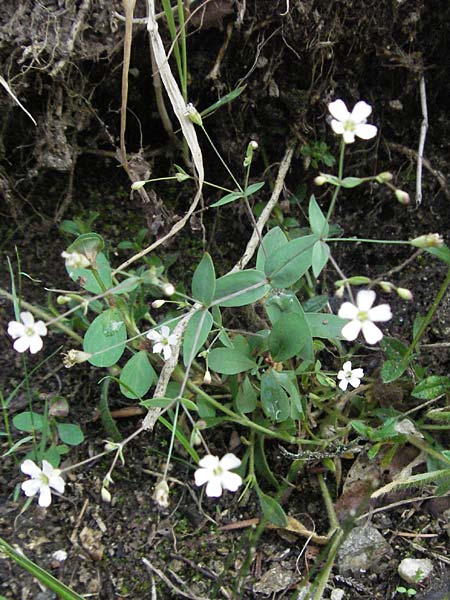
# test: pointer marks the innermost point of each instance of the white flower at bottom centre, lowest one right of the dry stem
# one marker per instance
(216, 473)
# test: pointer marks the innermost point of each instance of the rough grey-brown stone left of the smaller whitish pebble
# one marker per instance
(365, 549)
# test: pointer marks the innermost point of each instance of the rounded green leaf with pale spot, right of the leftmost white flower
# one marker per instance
(106, 338)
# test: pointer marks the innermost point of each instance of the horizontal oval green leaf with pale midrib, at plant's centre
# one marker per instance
(234, 283)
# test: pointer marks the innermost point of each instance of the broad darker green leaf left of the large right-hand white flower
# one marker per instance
(290, 337)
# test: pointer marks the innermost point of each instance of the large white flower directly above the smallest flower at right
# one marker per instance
(362, 317)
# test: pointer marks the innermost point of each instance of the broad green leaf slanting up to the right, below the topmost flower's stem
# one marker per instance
(290, 262)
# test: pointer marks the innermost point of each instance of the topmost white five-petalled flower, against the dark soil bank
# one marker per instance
(350, 124)
